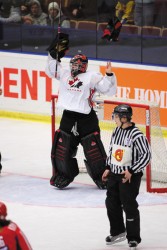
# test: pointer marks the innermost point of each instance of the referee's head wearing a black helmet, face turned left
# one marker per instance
(122, 114)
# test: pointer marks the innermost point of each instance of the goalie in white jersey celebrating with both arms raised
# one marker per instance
(79, 123)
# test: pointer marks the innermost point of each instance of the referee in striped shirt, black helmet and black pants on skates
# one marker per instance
(129, 154)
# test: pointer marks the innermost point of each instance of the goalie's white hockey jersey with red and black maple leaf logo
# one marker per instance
(75, 94)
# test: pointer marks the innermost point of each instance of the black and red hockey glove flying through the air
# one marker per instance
(112, 30)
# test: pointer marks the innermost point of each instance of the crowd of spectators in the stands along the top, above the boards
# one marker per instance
(46, 12)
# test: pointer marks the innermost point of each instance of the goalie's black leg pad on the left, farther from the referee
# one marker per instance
(65, 168)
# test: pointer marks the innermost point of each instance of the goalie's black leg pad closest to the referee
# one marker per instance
(95, 157)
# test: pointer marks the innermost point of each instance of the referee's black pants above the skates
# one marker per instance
(122, 197)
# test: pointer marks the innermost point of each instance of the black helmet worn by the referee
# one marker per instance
(123, 110)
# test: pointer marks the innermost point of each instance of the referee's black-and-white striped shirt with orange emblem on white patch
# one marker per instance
(129, 149)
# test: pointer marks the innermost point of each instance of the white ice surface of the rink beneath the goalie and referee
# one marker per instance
(70, 219)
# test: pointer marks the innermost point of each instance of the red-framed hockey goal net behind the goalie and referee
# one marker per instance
(146, 116)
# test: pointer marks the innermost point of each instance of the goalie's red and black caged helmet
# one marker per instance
(78, 64)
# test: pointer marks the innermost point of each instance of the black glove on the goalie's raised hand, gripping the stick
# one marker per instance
(59, 46)
